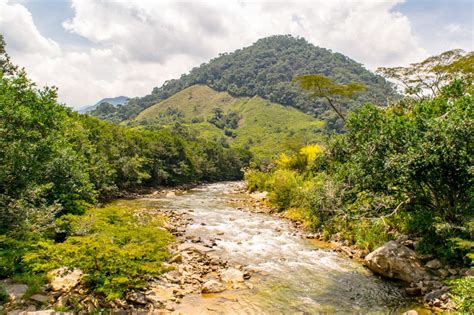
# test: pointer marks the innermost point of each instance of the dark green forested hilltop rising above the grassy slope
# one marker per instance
(266, 69)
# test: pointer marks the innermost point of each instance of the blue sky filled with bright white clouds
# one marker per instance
(92, 49)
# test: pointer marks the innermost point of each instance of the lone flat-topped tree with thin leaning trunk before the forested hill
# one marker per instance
(320, 86)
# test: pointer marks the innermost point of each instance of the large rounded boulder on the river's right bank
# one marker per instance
(396, 261)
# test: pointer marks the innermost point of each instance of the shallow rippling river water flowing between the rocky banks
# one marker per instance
(299, 277)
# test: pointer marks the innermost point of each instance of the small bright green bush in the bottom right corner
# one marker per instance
(462, 294)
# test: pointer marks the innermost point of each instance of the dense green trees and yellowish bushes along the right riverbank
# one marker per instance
(402, 169)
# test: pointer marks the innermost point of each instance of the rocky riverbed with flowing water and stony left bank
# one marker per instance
(231, 257)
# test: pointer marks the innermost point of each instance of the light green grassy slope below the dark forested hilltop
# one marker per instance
(265, 128)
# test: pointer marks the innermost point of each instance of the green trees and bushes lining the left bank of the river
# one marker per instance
(55, 163)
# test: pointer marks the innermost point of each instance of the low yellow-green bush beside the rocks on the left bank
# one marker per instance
(116, 247)
